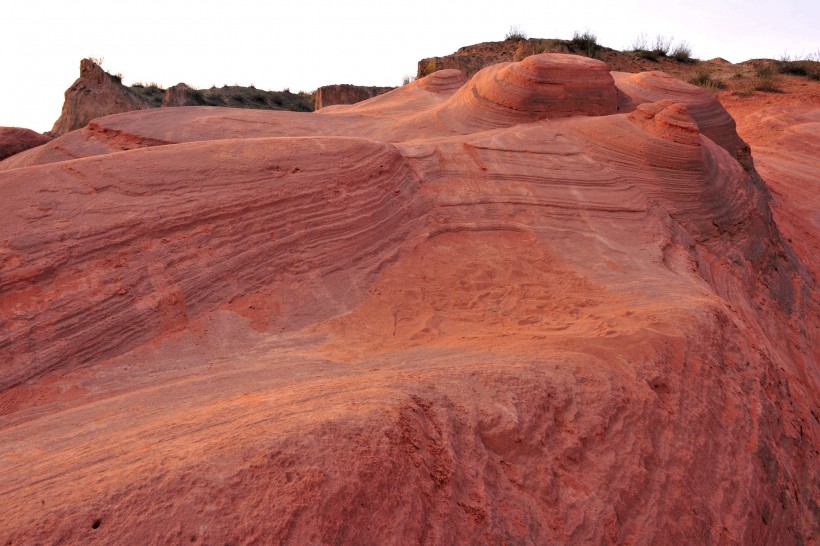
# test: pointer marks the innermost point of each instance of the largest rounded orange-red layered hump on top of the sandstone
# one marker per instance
(549, 85)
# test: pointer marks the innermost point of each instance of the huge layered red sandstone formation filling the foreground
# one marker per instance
(465, 311)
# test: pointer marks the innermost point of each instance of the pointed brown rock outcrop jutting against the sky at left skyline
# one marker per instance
(95, 94)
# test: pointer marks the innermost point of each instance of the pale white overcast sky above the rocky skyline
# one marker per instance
(303, 45)
